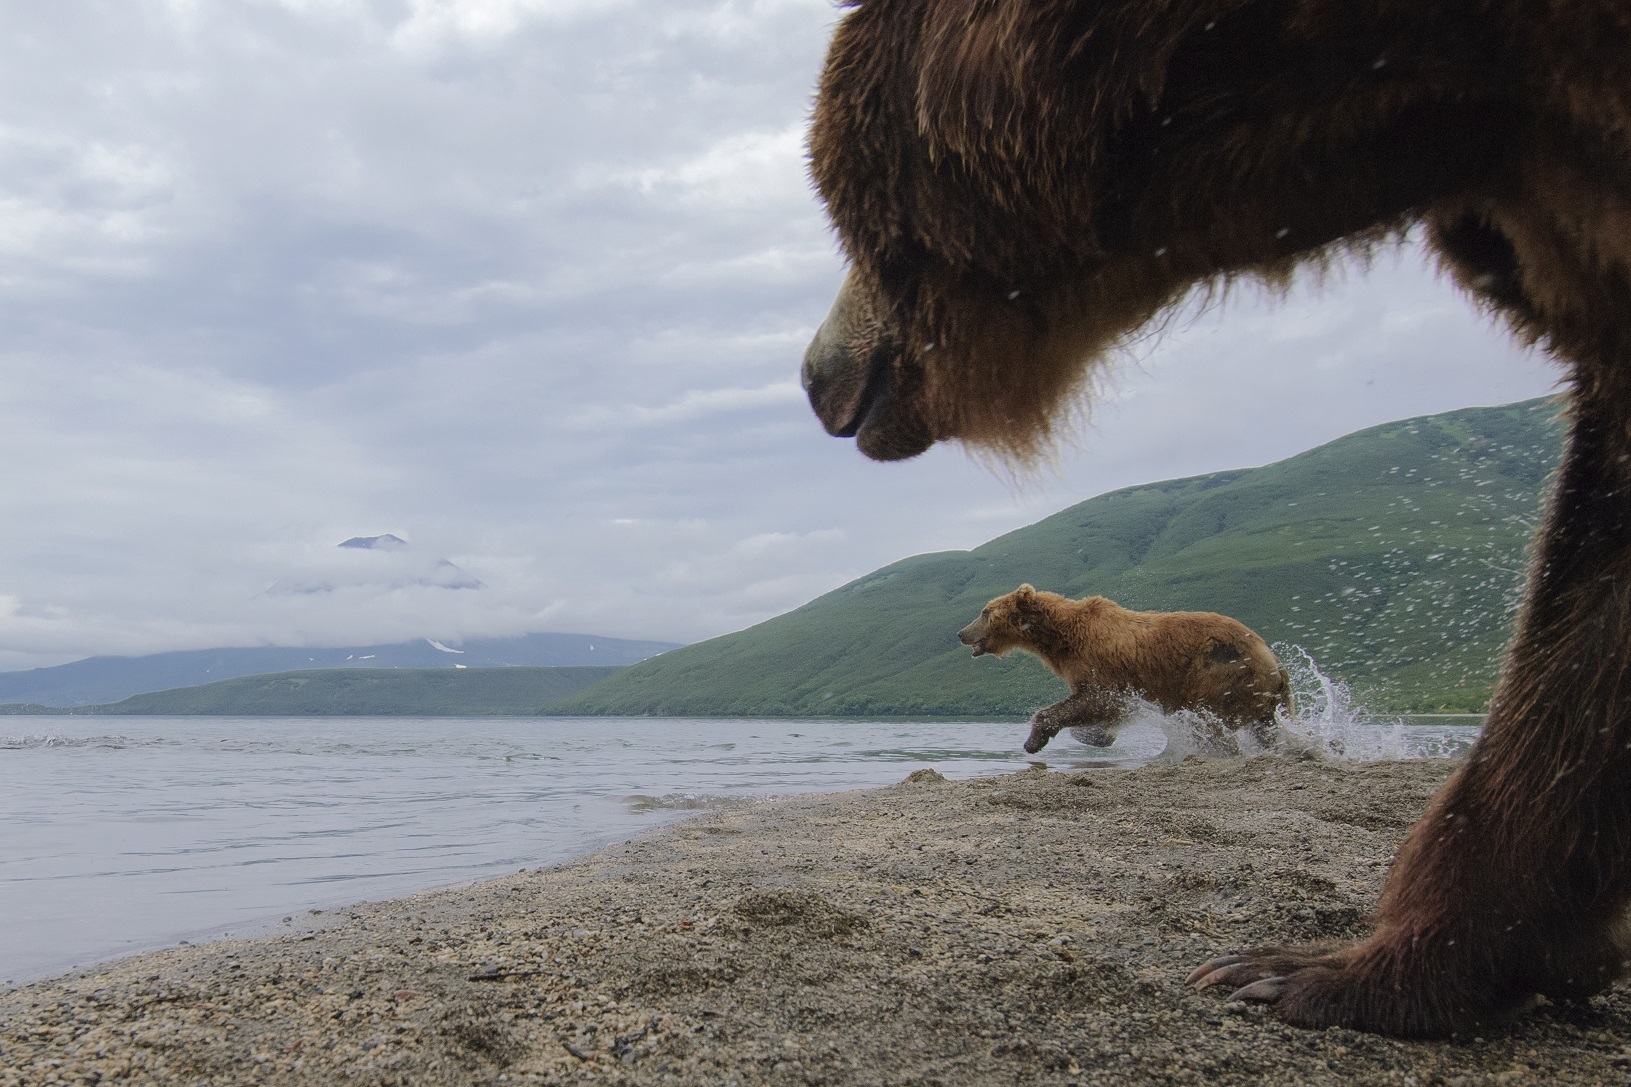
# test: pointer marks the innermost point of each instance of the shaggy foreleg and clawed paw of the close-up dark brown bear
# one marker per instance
(1516, 881)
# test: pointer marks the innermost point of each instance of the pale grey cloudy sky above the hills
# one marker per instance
(524, 283)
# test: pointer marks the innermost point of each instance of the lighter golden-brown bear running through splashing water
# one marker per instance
(1110, 655)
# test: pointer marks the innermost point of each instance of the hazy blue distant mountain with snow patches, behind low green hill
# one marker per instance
(107, 680)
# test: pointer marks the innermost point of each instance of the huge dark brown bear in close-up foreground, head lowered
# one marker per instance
(1023, 185)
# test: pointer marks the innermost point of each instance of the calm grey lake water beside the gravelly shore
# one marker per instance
(125, 835)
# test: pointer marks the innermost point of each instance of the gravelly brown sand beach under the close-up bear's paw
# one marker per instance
(1025, 929)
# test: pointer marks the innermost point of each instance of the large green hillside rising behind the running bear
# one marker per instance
(1392, 556)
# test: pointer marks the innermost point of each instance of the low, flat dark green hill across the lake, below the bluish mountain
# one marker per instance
(361, 693)
